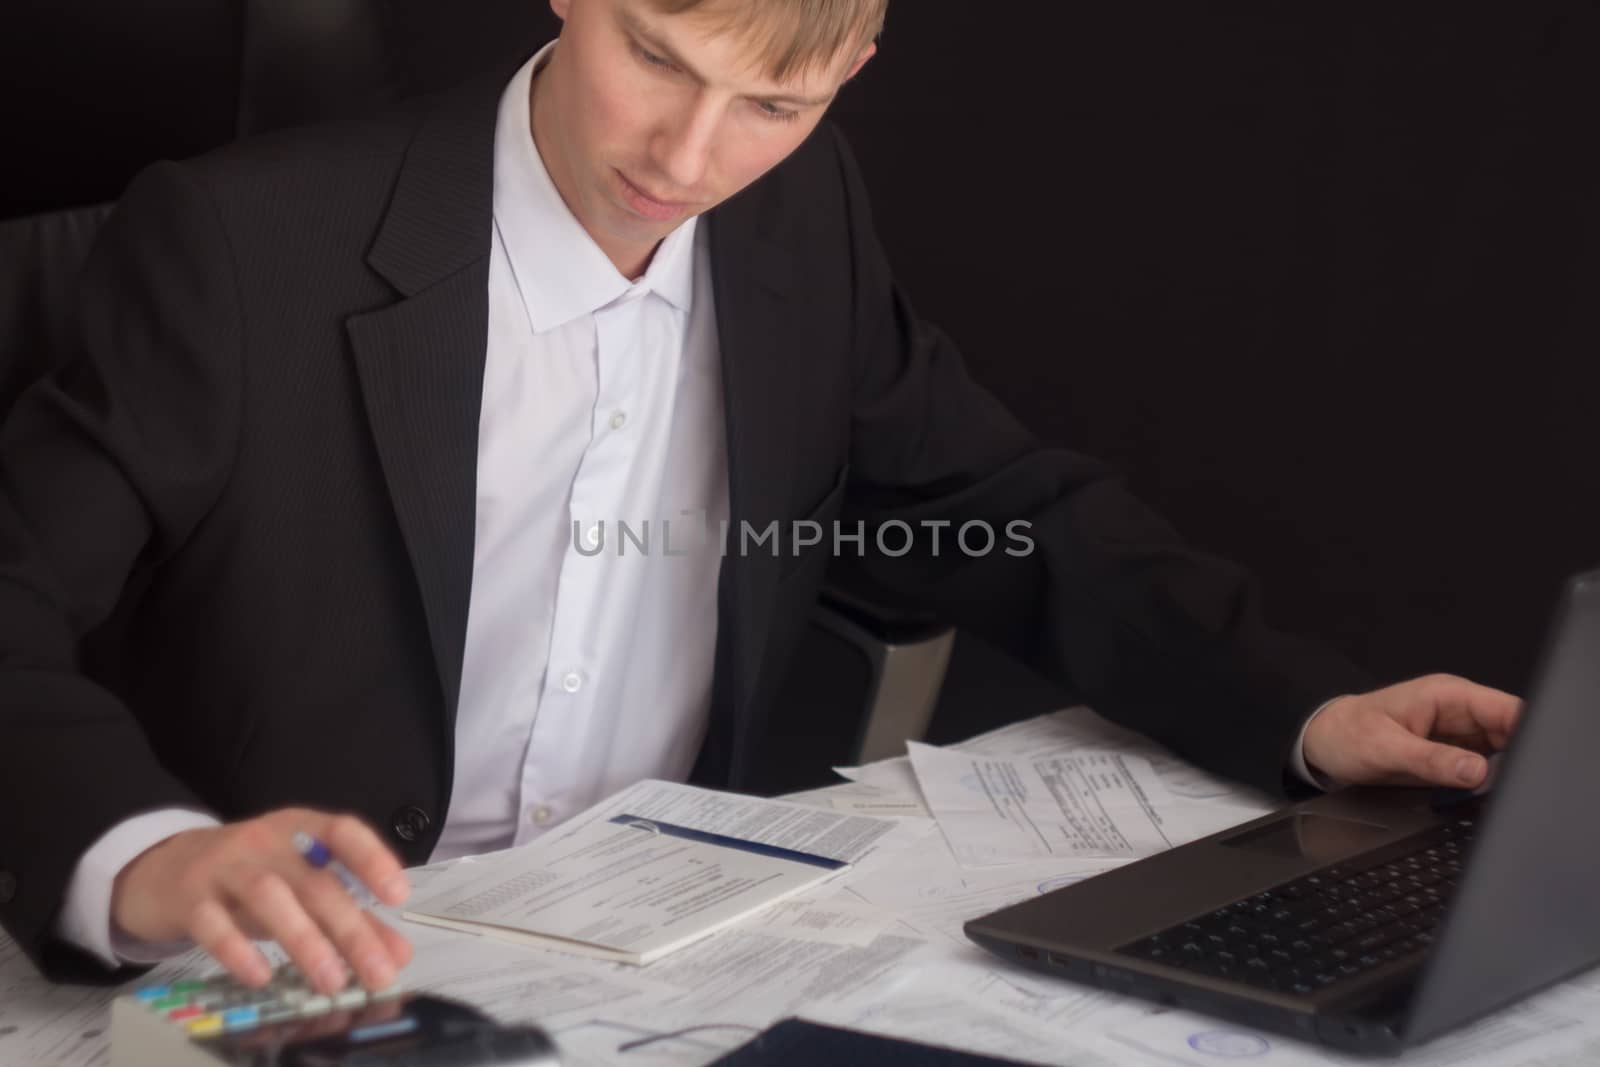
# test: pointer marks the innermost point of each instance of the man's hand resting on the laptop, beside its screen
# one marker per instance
(1426, 732)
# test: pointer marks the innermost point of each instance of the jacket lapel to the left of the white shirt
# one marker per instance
(420, 362)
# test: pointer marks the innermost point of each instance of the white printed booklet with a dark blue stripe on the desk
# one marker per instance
(649, 871)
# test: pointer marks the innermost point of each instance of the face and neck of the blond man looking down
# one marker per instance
(646, 121)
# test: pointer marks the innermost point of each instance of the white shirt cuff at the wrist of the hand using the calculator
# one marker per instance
(86, 914)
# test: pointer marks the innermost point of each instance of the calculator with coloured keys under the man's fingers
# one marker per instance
(215, 1021)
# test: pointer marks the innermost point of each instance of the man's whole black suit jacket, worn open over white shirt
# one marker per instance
(236, 532)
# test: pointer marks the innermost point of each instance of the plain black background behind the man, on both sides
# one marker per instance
(1322, 279)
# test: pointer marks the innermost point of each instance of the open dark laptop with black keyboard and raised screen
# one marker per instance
(1366, 919)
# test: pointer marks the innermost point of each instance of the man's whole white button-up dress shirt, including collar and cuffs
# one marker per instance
(602, 404)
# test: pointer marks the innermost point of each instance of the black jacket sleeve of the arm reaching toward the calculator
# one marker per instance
(105, 471)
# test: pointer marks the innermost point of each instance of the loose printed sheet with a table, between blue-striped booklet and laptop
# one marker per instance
(1082, 805)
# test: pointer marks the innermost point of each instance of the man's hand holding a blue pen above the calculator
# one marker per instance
(225, 887)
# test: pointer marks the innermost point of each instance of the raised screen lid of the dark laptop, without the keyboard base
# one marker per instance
(1526, 913)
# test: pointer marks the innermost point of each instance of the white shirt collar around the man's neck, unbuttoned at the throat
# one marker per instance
(561, 271)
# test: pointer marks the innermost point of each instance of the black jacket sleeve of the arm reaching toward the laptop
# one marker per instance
(1110, 601)
